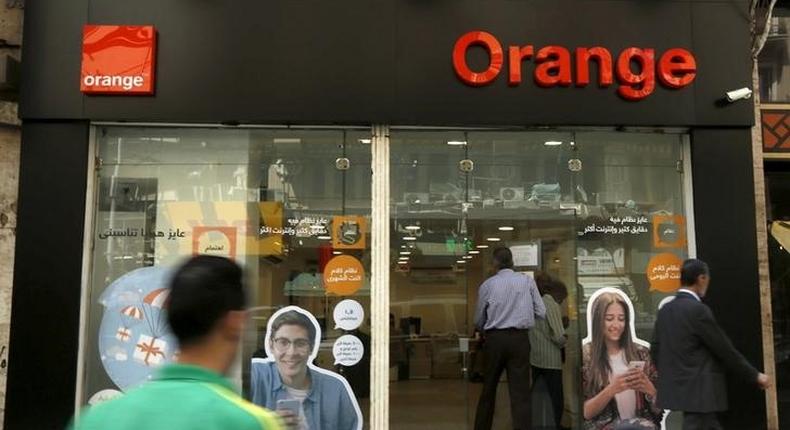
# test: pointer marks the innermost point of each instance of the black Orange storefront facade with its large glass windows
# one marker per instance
(255, 103)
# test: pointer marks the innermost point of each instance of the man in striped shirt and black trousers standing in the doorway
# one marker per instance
(507, 306)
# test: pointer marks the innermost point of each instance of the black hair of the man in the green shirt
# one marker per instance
(202, 291)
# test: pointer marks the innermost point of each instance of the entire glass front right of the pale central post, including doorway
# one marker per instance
(589, 210)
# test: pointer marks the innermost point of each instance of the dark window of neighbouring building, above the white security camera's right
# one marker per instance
(774, 59)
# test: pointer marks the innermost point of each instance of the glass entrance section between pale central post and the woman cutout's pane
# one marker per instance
(455, 197)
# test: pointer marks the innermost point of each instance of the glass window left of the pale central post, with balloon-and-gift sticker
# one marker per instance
(285, 204)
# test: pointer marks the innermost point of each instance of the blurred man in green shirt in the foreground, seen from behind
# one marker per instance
(206, 314)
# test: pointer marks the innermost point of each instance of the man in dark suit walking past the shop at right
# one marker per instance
(692, 353)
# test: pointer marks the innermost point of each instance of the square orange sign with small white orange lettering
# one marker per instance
(118, 59)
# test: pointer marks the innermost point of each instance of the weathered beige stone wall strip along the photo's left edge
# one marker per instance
(10, 139)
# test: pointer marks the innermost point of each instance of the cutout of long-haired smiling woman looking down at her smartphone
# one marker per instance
(617, 374)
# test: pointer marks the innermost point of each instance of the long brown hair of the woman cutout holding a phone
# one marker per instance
(599, 365)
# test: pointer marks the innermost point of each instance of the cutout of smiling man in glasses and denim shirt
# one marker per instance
(288, 382)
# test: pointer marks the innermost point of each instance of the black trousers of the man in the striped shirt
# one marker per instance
(506, 350)
